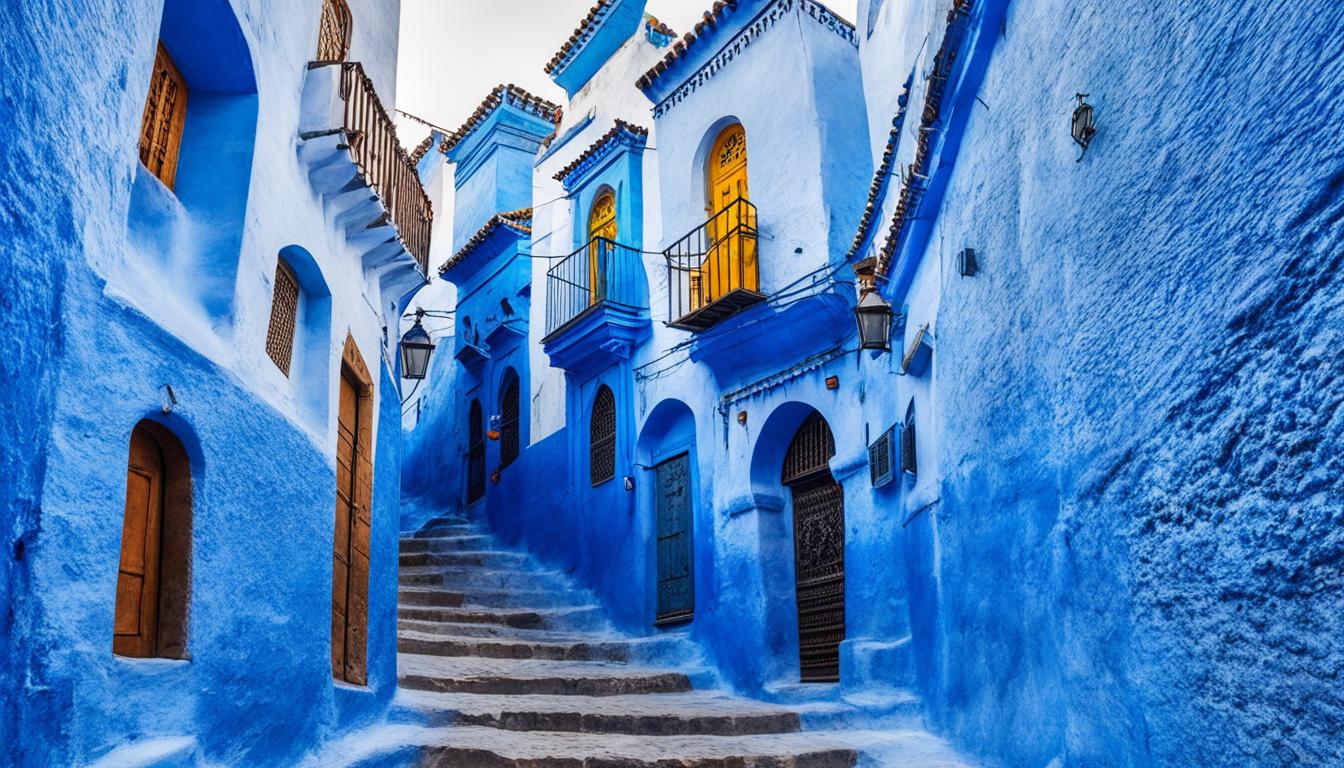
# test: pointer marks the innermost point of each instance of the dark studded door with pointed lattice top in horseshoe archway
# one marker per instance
(818, 549)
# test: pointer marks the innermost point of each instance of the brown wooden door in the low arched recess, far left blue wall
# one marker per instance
(136, 625)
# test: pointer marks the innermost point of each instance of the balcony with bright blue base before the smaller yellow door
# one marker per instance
(596, 306)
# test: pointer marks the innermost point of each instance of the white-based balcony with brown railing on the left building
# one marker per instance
(360, 167)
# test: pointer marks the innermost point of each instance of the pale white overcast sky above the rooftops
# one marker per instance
(455, 52)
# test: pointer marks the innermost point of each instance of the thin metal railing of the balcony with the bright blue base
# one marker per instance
(600, 271)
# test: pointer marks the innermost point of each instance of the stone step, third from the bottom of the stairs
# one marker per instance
(528, 677)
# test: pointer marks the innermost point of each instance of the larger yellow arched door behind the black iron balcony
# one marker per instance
(730, 263)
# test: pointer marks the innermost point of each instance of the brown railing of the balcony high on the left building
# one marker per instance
(385, 163)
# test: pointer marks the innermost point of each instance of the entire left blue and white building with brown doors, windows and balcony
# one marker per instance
(214, 231)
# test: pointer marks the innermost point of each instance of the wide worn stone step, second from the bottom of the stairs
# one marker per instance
(697, 714)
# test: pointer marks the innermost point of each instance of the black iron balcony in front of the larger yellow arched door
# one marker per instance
(713, 272)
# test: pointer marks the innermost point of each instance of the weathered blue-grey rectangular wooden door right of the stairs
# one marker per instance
(677, 586)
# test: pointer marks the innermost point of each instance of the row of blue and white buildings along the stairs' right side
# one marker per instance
(1087, 509)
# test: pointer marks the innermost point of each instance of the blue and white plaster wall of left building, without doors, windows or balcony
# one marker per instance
(138, 289)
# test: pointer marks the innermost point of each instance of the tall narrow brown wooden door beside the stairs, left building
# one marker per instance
(350, 564)
